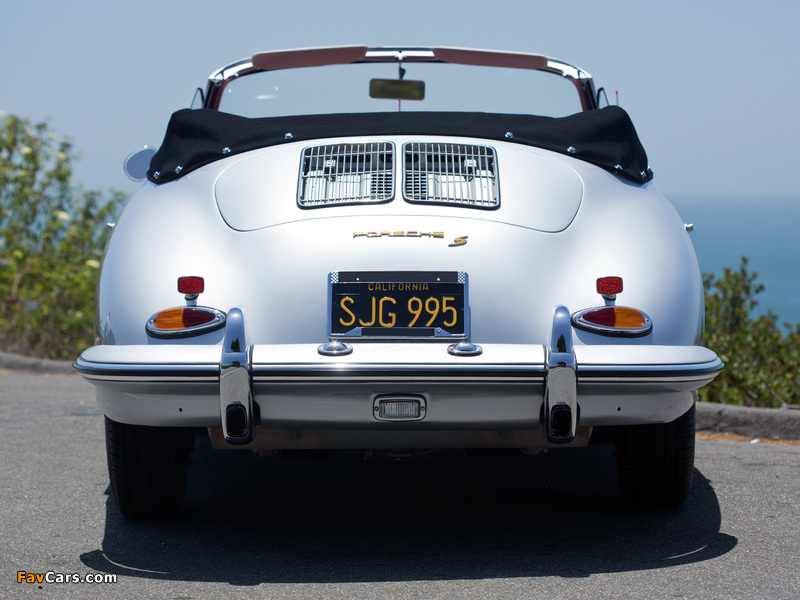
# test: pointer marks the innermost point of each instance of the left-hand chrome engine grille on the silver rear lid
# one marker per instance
(346, 174)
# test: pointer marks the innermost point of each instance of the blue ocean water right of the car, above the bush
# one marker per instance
(766, 231)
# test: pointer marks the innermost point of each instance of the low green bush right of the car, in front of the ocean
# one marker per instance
(760, 361)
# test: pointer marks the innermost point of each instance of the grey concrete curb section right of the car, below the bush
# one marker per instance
(767, 423)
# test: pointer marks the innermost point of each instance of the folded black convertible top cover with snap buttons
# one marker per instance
(604, 137)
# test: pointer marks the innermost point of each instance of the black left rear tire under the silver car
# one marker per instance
(147, 468)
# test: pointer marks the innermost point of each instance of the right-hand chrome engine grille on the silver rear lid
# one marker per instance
(440, 173)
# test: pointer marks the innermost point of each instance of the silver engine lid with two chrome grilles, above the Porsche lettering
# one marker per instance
(511, 184)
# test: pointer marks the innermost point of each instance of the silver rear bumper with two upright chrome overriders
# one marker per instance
(396, 395)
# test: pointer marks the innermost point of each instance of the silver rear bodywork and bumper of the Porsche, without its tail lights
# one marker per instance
(441, 304)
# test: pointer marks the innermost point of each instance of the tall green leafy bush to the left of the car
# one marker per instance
(51, 241)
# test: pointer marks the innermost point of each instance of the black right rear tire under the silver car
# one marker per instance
(655, 463)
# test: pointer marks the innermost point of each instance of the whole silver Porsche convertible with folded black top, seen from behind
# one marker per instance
(384, 248)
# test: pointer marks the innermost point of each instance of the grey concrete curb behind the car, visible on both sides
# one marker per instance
(767, 423)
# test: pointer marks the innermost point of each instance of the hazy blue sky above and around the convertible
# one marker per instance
(710, 86)
